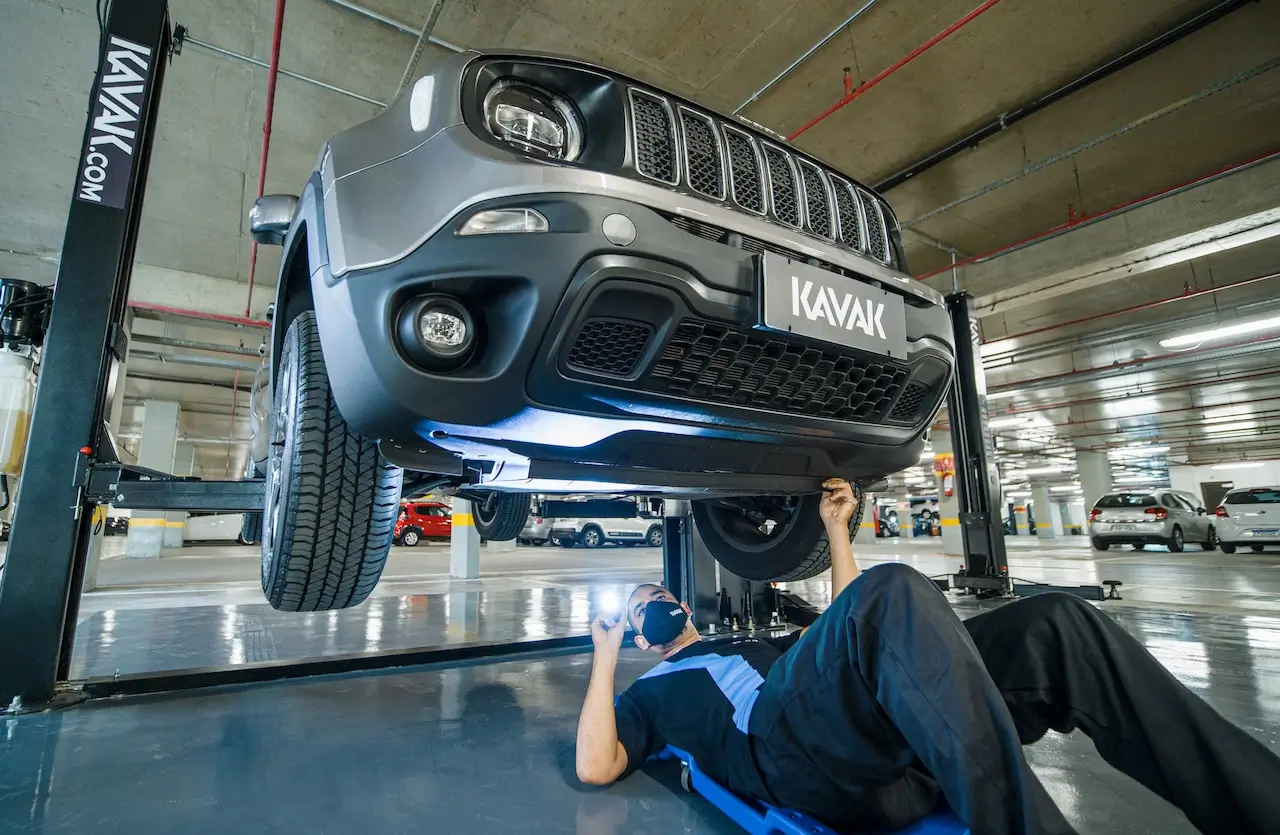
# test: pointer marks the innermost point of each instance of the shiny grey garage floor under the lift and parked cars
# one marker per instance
(488, 749)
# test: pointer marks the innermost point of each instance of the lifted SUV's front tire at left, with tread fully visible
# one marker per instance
(332, 500)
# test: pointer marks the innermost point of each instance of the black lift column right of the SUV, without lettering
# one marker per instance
(977, 483)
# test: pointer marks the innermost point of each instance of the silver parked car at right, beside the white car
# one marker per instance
(1151, 518)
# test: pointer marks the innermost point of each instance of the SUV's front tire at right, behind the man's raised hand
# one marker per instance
(794, 549)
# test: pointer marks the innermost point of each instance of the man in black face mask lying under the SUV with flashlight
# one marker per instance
(862, 719)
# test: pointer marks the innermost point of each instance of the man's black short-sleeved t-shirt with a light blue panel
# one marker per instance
(701, 701)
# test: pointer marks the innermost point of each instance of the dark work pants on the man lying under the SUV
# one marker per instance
(890, 699)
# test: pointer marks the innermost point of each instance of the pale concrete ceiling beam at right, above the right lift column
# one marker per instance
(1222, 215)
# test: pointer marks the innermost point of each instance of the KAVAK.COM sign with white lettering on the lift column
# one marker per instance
(107, 162)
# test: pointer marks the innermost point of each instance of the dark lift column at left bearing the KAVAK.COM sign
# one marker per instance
(48, 547)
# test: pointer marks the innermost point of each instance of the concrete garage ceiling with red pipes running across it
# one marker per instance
(204, 172)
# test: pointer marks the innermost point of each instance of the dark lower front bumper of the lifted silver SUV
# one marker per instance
(545, 401)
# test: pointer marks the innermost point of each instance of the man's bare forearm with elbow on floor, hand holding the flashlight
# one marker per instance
(601, 758)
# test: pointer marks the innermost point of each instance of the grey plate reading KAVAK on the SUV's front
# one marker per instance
(813, 303)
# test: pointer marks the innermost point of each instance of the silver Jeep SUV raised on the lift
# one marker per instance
(532, 275)
